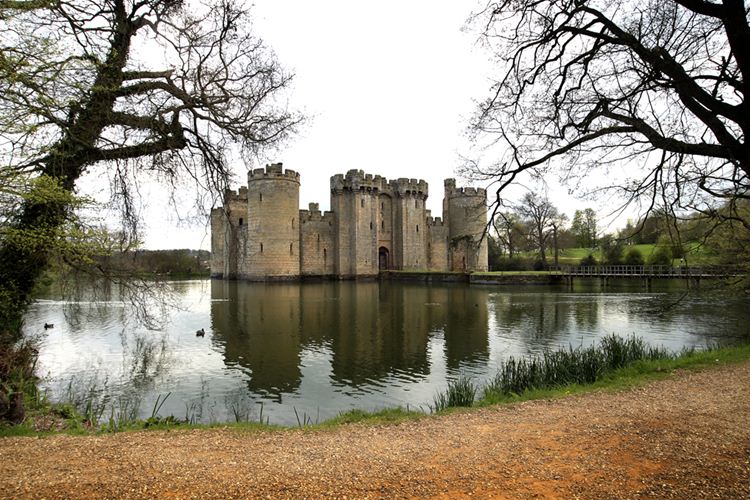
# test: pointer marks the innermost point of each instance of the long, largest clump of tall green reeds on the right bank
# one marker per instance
(581, 365)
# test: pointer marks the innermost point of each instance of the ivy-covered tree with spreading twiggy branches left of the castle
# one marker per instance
(122, 88)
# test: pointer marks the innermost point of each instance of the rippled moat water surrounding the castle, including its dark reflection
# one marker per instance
(318, 349)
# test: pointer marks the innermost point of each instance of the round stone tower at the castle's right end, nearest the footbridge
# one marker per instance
(467, 220)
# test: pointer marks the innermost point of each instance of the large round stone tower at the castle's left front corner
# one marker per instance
(272, 224)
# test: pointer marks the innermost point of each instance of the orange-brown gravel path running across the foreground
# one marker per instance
(685, 437)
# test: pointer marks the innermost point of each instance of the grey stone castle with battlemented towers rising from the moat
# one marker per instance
(374, 224)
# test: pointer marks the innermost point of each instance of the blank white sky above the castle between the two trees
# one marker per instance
(388, 88)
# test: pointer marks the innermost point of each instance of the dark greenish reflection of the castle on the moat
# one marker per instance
(370, 330)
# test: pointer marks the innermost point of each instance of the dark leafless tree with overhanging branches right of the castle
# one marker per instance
(657, 86)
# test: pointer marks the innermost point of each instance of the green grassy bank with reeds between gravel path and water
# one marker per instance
(614, 364)
